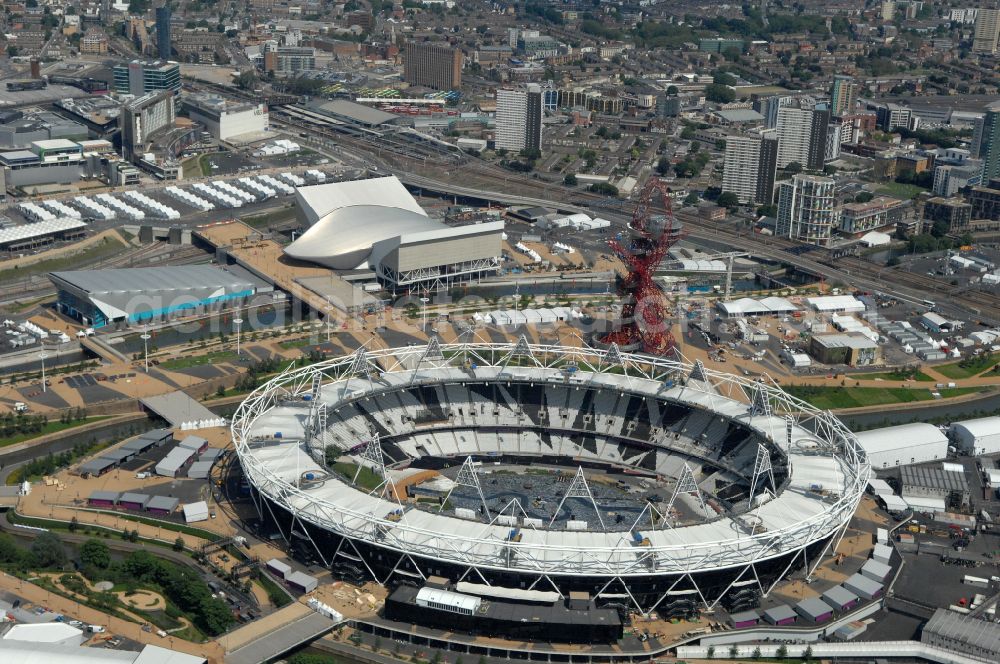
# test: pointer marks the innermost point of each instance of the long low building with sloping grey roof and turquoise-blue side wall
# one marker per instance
(102, 297)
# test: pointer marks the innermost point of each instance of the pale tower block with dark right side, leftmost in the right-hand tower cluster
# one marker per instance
(749, 166)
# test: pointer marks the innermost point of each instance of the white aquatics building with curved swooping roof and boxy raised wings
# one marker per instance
(377, 224)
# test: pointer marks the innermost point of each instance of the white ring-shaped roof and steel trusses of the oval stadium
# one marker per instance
(800, 430)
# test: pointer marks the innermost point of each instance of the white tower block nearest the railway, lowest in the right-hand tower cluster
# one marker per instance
(806, 209)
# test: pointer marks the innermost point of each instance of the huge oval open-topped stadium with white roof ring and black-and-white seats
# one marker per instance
(753, 484)
